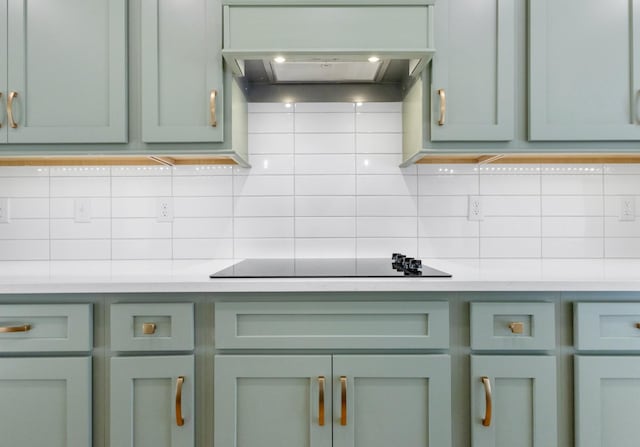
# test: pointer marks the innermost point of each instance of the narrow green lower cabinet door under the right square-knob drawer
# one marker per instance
(522, 398)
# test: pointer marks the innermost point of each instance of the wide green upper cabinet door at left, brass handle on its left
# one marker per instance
(67, 65)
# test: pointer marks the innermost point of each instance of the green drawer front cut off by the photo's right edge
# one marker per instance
(607, 326)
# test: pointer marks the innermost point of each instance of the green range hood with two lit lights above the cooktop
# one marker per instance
(329, 52)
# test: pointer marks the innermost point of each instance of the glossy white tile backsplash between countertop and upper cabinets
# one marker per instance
(325, 182)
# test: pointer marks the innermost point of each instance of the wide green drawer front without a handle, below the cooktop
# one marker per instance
(332, 325)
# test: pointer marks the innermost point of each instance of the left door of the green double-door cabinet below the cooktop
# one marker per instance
(272, 401)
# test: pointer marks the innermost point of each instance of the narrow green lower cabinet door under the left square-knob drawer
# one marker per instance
(148, 398)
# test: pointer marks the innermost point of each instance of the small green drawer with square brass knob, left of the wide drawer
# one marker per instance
(152, 327)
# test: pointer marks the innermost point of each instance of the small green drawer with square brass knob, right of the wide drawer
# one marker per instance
(512, 326)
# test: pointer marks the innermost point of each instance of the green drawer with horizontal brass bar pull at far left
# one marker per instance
(45, 327)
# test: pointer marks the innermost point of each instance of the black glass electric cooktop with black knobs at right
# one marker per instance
(397, 266)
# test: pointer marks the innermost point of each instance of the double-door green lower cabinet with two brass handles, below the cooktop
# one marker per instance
(302, 401)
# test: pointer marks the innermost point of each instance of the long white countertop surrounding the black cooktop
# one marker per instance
(193, 276)
